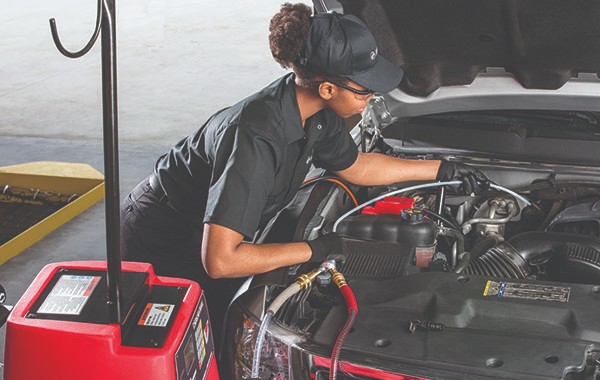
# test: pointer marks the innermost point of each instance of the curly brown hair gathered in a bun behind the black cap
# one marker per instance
(289, 30)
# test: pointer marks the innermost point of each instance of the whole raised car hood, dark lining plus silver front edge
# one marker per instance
(471, 55)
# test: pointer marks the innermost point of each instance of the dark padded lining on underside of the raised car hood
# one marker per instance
(542, 44)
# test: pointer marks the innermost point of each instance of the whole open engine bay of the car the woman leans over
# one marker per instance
(500, 284)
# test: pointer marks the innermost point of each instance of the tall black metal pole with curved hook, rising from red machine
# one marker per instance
(106, 22)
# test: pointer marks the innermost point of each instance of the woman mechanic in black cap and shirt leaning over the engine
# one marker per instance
(196, 215)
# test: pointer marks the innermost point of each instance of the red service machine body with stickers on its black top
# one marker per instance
(42, 344)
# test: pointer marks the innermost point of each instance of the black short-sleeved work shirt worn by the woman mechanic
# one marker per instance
(248, 161)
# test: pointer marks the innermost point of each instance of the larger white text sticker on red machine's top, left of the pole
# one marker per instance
(69, 295)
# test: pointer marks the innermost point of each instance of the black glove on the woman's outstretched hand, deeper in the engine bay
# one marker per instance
(473, 181)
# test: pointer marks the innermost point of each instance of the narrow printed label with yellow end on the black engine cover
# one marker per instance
(527, 291)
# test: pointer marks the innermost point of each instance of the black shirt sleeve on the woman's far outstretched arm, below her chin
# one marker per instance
(335, 150)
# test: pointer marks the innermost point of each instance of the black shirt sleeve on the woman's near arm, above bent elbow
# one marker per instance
(242, 178)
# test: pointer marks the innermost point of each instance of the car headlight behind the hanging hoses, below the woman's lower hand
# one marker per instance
(274, 360)
